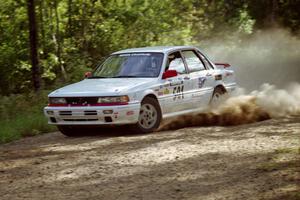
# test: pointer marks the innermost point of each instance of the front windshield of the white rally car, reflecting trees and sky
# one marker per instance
(130, 65)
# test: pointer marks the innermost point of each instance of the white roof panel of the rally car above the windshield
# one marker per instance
(158, 49)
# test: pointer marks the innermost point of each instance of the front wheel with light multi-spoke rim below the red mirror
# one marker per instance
(149, 117)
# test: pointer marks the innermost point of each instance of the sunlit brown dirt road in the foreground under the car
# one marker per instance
(254, 161)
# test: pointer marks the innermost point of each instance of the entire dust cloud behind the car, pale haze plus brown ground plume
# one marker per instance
(267, 68)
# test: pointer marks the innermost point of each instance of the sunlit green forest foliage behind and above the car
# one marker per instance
(75, 34)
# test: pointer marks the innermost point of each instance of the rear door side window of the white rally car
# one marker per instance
(193, 61)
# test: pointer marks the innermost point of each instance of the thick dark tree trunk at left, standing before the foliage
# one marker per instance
(36, 77)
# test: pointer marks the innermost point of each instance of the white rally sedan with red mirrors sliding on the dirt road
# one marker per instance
(140, 87)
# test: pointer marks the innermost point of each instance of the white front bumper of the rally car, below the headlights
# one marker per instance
(93, 115)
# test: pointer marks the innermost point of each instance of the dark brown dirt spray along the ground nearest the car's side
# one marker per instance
(235, 111)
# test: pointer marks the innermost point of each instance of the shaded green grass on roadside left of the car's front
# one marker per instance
(22, 116)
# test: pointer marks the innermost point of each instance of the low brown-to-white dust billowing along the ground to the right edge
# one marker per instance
(259, 105)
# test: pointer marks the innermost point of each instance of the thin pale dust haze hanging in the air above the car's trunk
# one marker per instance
(267, 57)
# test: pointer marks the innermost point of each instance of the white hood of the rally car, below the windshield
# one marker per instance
(102, 87)
